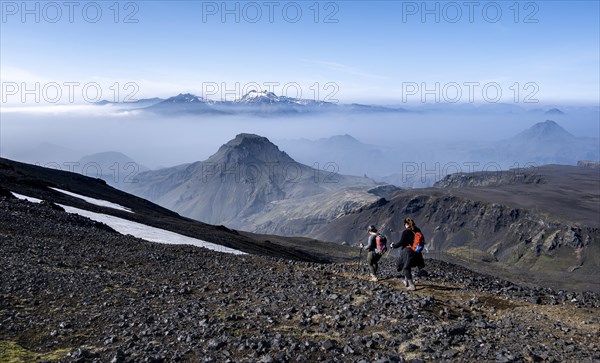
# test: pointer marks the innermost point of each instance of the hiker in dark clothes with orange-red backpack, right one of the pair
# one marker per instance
(408, 257)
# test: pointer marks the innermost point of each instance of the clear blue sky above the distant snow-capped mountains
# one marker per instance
(351, 51)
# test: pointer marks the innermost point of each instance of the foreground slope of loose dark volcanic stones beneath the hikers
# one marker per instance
(74, 291)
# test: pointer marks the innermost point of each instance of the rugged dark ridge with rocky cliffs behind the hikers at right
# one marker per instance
(536, 226)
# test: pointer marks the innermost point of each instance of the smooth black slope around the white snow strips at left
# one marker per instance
(37, 182)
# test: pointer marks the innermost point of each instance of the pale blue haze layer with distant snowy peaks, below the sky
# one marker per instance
(405, 141)
